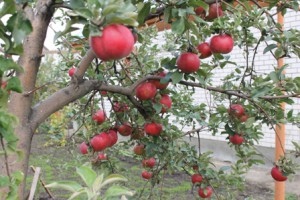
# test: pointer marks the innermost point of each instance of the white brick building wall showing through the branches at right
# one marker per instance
(264, 63)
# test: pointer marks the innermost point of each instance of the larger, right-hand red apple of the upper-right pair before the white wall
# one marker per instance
(222, 43)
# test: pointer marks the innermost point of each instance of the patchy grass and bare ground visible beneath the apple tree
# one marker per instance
(59, 163)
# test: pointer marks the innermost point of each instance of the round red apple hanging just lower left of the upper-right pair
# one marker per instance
(188, 62)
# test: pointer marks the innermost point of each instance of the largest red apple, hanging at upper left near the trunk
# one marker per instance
(115, 42)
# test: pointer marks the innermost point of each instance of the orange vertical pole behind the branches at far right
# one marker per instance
(280, 130)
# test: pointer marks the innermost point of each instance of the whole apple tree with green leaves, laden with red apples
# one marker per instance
(150, 85)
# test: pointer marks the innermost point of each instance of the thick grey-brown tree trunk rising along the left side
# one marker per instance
(20, 105)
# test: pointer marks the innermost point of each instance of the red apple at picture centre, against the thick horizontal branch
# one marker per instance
(145, 91)
